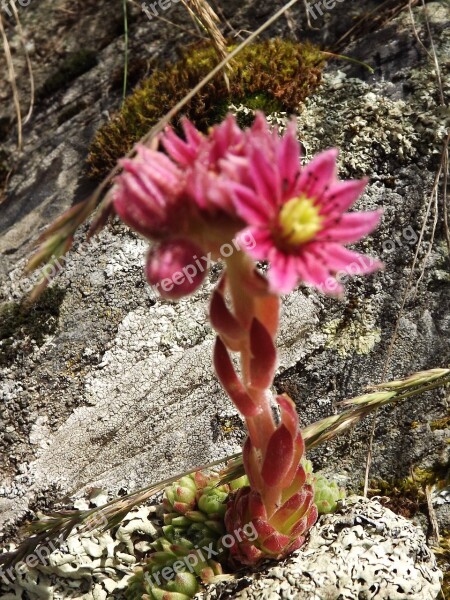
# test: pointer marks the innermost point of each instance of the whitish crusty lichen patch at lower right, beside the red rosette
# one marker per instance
(362, 551)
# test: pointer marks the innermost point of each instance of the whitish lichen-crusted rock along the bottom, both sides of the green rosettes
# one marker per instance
(362, 551)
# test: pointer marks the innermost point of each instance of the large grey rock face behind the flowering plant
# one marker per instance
(119, 391)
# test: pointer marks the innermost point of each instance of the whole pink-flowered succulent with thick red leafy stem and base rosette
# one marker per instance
(240, 196)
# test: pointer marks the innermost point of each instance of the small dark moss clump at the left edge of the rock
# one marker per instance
(19, 324)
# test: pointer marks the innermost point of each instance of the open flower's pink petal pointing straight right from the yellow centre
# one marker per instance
(350, 227)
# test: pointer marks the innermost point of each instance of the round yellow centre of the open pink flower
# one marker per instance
(300, 220)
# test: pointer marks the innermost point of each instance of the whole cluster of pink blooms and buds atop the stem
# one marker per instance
(207, 190)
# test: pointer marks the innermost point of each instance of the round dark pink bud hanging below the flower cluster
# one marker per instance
(173, 268)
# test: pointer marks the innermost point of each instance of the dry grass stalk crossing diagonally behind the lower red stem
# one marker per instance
(63, 523)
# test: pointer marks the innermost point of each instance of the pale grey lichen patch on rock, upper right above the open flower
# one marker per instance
(353, 116)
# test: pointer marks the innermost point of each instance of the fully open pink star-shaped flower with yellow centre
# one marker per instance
(297, 215)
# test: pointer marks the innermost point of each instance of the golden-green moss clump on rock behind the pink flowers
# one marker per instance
(270, 75)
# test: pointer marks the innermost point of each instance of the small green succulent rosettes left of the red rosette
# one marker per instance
(190, 545)
